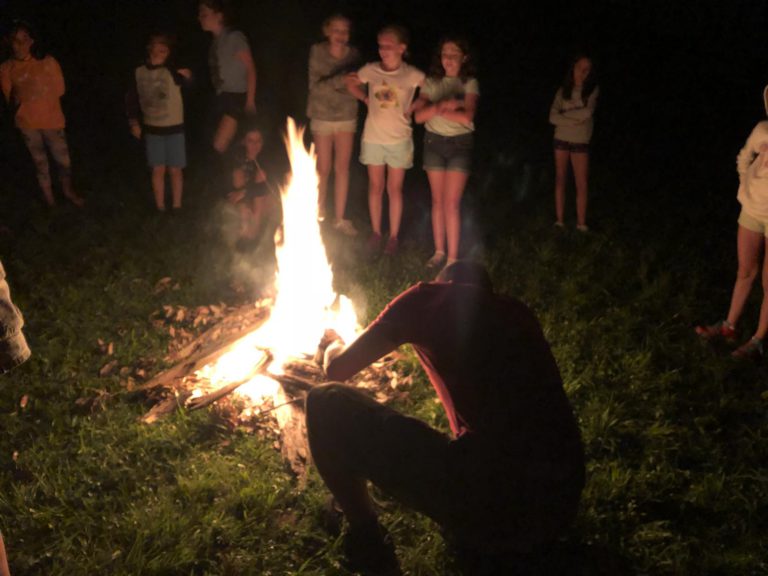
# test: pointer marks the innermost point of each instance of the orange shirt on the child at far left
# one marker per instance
(35, 86)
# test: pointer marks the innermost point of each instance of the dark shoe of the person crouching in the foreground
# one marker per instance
(370, 552)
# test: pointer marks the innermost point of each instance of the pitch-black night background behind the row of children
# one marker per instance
(680, 82)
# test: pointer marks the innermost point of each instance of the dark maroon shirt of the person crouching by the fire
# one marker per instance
(487, 358)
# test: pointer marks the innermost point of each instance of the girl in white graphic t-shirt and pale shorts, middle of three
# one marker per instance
(387, 145)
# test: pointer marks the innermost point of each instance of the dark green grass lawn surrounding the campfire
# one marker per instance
(676, 433)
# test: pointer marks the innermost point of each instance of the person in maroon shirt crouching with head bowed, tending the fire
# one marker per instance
(510, 477)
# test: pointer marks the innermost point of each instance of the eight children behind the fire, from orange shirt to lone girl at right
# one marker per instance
(393, 91)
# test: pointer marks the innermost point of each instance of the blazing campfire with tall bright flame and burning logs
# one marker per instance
(262, 358)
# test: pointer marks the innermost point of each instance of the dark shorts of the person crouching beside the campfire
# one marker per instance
(485, 499)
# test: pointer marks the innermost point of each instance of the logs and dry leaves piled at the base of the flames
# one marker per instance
(200, 336)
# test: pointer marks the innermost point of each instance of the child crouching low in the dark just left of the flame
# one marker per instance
(249, 191)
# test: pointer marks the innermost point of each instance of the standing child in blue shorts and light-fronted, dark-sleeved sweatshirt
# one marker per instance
(156, 98)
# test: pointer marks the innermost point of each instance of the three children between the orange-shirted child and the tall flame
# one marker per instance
(156, 113)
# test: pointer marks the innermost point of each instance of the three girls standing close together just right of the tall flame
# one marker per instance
(446, 103)
